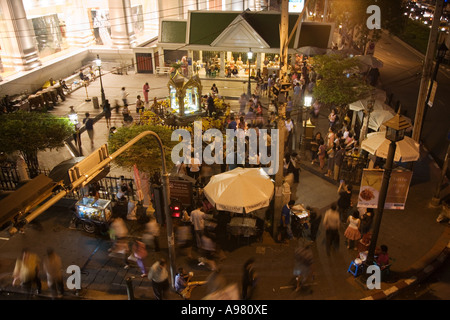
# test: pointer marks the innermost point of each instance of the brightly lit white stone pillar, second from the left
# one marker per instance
(78, 28)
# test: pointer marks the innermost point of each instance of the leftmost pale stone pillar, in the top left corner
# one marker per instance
(19, 48)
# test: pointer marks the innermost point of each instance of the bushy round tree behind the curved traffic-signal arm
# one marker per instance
(144, 153)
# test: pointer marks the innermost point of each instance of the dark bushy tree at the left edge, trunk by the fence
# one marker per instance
(30, 132)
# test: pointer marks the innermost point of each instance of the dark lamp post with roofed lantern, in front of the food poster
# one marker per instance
(395, 131)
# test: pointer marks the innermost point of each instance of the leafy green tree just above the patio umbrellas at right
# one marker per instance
(339, 81)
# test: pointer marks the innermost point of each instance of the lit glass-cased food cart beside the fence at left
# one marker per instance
(94, 214)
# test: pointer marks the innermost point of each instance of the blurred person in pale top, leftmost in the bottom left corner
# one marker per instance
(26, 271)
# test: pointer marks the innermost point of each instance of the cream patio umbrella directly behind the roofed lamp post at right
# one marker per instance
(377, 144)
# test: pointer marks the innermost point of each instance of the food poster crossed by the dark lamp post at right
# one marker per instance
(397, 192)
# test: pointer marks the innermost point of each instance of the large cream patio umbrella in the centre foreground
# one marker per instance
(240, 189)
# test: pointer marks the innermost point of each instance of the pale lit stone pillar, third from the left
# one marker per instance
(122, 32)
